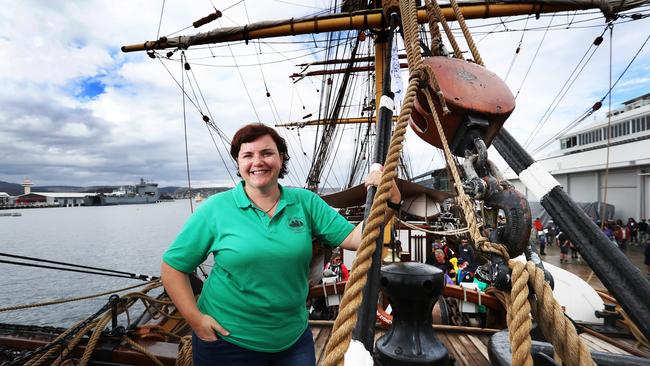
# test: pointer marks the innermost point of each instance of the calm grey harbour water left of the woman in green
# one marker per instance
(128, 238)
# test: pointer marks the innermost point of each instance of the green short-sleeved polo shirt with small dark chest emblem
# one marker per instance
(258, 285)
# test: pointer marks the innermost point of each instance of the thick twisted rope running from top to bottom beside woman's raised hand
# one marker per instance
(345, 321)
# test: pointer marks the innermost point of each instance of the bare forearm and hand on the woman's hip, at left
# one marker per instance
(177, 285)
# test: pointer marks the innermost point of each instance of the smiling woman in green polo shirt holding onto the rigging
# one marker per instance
(252, 307)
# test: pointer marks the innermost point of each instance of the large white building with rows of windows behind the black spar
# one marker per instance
(581, 163)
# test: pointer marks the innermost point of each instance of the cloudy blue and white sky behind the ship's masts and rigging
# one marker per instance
(75, 110)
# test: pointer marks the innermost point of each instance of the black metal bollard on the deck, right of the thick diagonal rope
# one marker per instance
(413, 289)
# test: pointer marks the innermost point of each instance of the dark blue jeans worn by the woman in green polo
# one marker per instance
(224, 353)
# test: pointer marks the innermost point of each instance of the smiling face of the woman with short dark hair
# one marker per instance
(259, 163)
